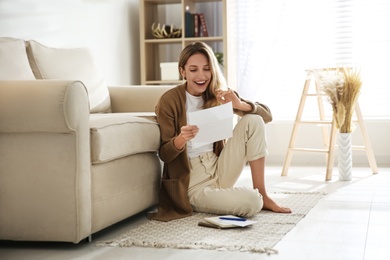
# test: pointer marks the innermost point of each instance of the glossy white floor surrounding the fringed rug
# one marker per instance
(350, 222)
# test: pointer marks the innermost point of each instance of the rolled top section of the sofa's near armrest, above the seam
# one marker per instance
(42, 106)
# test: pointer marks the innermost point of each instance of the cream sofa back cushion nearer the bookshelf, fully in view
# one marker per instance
(70, 64)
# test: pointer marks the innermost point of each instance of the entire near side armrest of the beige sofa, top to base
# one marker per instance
(45, 162)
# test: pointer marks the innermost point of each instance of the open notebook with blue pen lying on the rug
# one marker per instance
(227, 221)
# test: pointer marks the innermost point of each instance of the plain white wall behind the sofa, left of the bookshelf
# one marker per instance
(110, 28)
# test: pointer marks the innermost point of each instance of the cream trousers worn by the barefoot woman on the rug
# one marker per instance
(212, 178)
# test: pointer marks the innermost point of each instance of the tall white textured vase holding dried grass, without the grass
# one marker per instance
(344, 141)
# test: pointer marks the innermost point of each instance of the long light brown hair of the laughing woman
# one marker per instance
(217, 81)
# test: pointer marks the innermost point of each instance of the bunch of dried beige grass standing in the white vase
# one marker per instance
(342, 86)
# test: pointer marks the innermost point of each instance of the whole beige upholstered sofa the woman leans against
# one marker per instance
(76, 155)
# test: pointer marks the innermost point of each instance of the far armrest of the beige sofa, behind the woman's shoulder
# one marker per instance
(135, 98)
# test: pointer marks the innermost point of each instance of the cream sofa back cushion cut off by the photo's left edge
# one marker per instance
(13, 60)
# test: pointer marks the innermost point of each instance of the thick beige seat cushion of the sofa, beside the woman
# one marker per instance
(117, 135)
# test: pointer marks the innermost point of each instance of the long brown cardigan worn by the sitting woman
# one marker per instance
(171, 116)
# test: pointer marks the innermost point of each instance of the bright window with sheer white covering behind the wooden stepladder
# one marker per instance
(278, 39)
